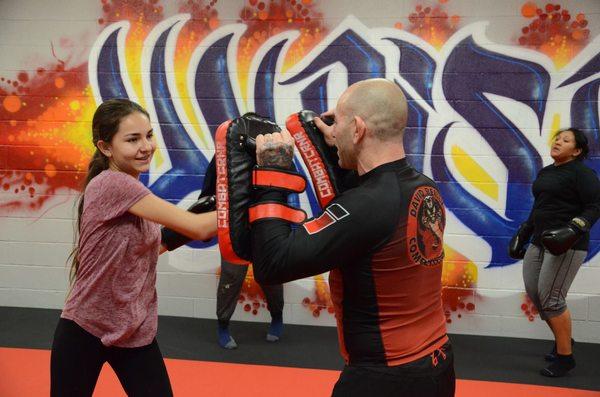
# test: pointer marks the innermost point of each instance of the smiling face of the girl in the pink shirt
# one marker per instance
(132, 147)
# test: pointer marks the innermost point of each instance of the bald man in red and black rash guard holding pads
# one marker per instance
(382, 243)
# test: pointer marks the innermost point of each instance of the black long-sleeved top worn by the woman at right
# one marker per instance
(562, 193)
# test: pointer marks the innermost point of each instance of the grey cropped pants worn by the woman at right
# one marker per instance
(548, 278)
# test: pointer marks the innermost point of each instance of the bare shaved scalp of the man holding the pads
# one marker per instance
(381, 104)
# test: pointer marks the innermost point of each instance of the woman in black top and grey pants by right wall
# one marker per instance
(566, 206)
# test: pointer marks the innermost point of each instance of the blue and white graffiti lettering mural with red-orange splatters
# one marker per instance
(481, 113)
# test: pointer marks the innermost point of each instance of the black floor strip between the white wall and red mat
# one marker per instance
(477, 357)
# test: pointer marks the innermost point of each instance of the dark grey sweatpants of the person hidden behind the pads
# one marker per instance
(230, 284)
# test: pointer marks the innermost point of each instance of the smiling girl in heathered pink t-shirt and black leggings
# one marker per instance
(111, 312)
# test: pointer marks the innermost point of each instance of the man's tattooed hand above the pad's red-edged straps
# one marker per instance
(275, 150)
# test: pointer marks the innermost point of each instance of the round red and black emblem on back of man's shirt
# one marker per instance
(425, 228)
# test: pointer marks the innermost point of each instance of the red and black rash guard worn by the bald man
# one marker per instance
(382, 242)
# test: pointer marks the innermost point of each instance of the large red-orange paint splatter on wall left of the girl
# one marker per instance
(45, 118)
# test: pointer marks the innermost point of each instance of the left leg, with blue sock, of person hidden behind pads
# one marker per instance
(228, 291)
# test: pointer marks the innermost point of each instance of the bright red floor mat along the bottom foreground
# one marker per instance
(26, 372)
